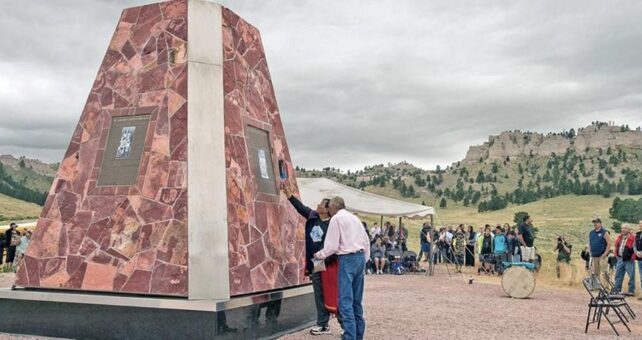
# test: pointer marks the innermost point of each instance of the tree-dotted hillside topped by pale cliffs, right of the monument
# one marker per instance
(515, 168)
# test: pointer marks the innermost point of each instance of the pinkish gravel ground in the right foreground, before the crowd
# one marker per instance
(439, 307)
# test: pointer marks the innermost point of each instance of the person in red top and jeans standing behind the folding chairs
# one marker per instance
(625, 255)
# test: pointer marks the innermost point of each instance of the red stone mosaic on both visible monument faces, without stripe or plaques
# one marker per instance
(133, 239)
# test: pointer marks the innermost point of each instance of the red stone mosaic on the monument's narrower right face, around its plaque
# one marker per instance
(266, 241)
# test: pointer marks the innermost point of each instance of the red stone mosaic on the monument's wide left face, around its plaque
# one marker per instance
(129, 238)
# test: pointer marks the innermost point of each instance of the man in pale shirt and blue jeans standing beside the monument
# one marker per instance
(347, 238)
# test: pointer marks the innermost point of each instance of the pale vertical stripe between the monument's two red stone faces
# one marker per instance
(207, 193)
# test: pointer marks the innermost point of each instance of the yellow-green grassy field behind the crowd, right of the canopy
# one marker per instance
(565, 215)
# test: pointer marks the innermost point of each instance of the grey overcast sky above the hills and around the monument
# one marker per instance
(359, 82)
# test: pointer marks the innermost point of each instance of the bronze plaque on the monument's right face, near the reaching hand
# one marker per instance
(260, 152)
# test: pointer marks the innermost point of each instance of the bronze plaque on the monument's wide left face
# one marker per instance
(124, 150)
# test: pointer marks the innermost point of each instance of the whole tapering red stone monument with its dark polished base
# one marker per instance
(167, 200)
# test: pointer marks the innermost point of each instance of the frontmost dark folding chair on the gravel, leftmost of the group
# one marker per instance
(600, 305)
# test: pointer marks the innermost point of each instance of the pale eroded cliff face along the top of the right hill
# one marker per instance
(519, 144)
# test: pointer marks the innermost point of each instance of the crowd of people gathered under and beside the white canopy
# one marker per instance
(488, 247)
